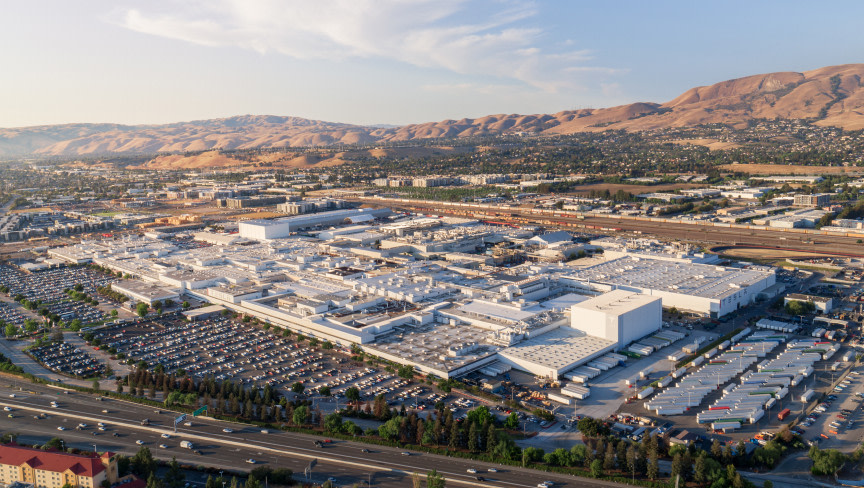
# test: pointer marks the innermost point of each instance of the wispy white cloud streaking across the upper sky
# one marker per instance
(431, 34)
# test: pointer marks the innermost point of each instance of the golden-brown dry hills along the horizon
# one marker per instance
(831, 96)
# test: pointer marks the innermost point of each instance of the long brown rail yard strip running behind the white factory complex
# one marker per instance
(721, 236)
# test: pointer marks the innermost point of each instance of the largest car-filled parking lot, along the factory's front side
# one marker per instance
(228, 349)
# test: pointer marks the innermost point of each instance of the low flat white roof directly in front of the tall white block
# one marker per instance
(558, 349)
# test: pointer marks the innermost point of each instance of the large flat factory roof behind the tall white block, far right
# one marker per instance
(694, 279)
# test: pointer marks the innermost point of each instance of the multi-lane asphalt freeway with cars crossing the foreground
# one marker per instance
(383, 466)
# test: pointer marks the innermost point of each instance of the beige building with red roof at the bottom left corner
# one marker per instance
(53, 469)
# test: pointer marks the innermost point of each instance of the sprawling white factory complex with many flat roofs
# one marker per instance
(441, 294)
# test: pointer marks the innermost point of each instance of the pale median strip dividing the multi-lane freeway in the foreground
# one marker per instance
(335, 457)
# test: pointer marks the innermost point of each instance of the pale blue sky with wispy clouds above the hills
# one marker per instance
(392, 61)
